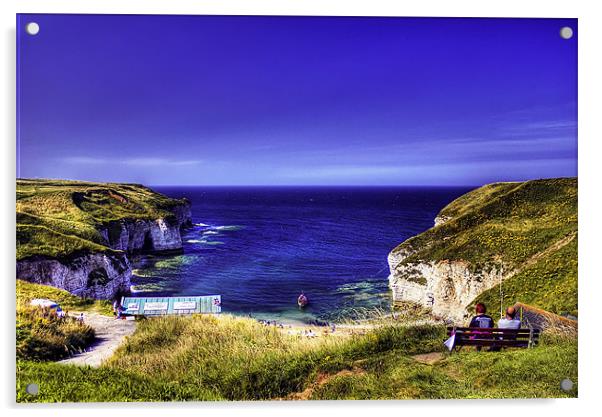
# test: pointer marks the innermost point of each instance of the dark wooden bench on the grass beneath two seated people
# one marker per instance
(493, 337)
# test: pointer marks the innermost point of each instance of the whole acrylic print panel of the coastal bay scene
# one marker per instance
(295, 208)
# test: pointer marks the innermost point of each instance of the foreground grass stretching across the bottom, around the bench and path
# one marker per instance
(204, 358)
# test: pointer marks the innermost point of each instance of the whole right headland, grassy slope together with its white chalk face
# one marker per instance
(521, 234)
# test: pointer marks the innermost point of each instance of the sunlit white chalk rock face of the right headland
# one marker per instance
(446, 287)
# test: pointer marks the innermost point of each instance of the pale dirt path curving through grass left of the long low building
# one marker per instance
(109, 335)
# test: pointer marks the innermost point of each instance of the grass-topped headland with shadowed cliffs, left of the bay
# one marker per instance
(78, 236)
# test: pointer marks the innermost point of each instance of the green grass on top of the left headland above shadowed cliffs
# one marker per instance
(57, 218)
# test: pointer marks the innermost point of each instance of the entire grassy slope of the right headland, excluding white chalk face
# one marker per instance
(510, 225)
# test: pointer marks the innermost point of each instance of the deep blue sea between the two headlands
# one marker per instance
(260, 247)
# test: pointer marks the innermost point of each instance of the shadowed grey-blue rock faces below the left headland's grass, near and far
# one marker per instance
(103, 275)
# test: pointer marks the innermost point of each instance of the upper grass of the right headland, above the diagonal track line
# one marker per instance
(522, 220)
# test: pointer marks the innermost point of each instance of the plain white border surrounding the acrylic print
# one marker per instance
(590, 135)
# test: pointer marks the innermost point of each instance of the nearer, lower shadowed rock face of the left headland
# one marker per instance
(94, 275)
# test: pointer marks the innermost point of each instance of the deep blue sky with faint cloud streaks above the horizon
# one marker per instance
(218, 100)
